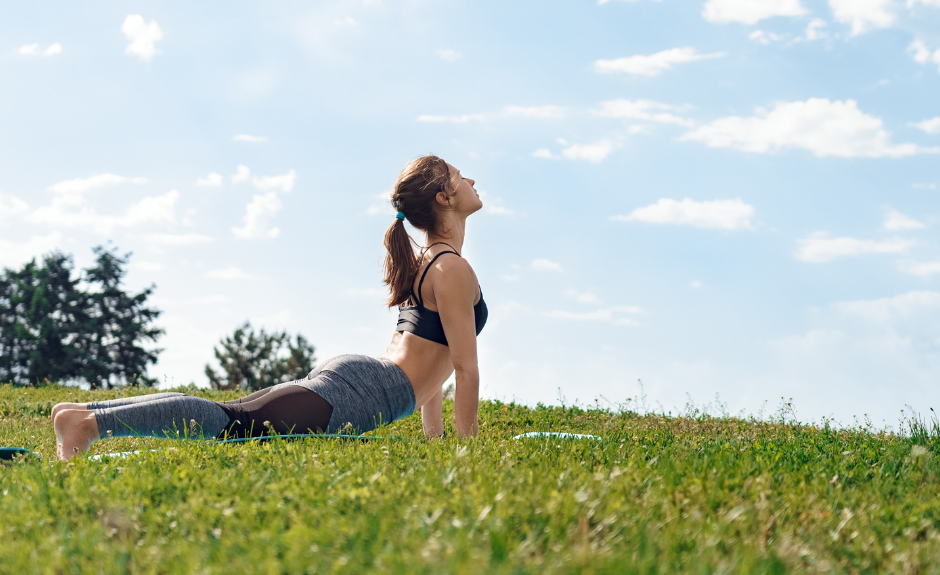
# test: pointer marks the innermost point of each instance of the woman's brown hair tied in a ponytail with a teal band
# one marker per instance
(414, 196)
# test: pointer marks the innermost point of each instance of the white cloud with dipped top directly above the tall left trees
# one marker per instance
(72, 211)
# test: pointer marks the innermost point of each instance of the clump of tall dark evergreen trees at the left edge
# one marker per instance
(50, 329)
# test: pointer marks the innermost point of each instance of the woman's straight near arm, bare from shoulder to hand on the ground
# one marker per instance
(454, 294)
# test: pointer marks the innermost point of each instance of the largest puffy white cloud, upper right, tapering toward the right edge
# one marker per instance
(825, 128)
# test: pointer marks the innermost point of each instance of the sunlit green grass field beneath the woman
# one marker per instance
(692, 494)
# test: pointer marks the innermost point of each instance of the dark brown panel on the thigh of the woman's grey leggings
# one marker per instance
(284, 408)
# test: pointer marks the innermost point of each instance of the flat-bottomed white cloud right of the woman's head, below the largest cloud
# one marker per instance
(715, 214)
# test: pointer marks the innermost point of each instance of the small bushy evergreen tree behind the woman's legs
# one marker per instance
(254, 360)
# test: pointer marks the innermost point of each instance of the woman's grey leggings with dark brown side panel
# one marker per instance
(353, 392)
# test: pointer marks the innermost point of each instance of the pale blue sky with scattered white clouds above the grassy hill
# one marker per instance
(714, 202)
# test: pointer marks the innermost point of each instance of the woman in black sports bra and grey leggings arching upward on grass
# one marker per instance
(441, 312)
